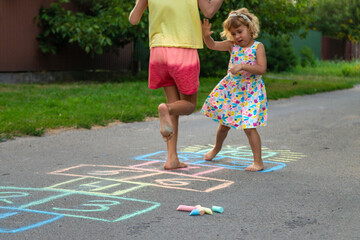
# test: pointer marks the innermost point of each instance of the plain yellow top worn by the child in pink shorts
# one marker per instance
(174, 23)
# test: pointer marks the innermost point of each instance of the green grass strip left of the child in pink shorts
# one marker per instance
(30, 109)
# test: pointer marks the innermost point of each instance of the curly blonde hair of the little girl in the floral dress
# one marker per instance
(240, 17)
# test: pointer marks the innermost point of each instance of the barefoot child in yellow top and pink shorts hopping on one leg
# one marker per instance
(175, 36)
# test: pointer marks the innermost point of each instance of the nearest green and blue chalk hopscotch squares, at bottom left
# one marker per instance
(26, 208)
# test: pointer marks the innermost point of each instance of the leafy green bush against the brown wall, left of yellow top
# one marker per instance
(97, 26)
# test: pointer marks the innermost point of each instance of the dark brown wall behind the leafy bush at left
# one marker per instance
(19, 50)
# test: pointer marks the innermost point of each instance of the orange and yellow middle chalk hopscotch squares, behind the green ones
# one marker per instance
(111, 180)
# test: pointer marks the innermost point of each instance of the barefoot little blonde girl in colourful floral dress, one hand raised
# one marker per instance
(239, 99)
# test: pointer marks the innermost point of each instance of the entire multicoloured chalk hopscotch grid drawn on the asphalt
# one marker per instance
(94, 191)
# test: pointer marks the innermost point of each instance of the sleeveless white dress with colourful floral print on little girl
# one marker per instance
(239, 100)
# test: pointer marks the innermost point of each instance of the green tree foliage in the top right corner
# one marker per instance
(338, 18)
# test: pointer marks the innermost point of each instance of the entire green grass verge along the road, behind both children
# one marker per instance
(31, 109)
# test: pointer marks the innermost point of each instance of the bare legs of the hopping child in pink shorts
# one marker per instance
(177, 104)
